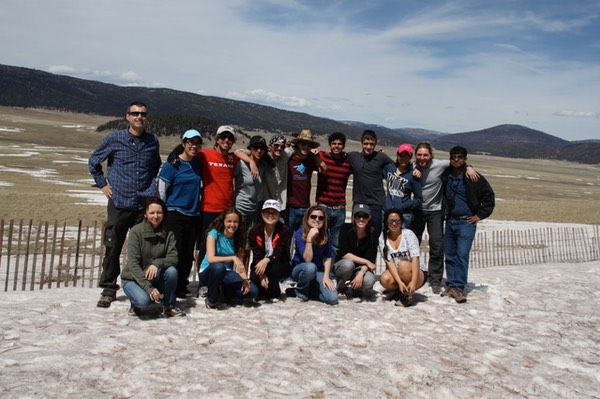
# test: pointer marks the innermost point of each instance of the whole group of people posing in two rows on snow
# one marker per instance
(243, 211)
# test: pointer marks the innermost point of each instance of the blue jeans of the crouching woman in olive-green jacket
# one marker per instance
(165, 281)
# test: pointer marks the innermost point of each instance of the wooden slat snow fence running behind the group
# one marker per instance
(54, 255)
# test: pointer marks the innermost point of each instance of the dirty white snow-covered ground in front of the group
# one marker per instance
(525, 331)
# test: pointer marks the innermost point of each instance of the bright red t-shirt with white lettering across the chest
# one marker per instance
(217, 176)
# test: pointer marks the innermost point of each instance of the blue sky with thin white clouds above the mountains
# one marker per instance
(450, 66)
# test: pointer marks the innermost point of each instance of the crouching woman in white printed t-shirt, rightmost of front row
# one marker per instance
(401, 252)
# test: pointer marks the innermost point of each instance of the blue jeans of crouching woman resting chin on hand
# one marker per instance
(310, 284)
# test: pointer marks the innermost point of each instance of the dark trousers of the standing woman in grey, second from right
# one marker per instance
(435, 228)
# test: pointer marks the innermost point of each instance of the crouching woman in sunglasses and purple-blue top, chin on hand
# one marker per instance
(312, 258)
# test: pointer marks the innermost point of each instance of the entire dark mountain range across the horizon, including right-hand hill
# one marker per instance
(24, 87)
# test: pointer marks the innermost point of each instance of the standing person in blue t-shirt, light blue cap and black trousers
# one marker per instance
(179, 186)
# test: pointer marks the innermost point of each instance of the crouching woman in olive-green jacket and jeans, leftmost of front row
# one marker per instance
(150, 273)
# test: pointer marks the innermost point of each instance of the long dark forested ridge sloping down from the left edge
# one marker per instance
(24, 87)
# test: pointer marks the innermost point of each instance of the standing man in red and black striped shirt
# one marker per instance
(331, 186)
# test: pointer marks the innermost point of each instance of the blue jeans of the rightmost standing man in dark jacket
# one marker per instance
(458, 238)
